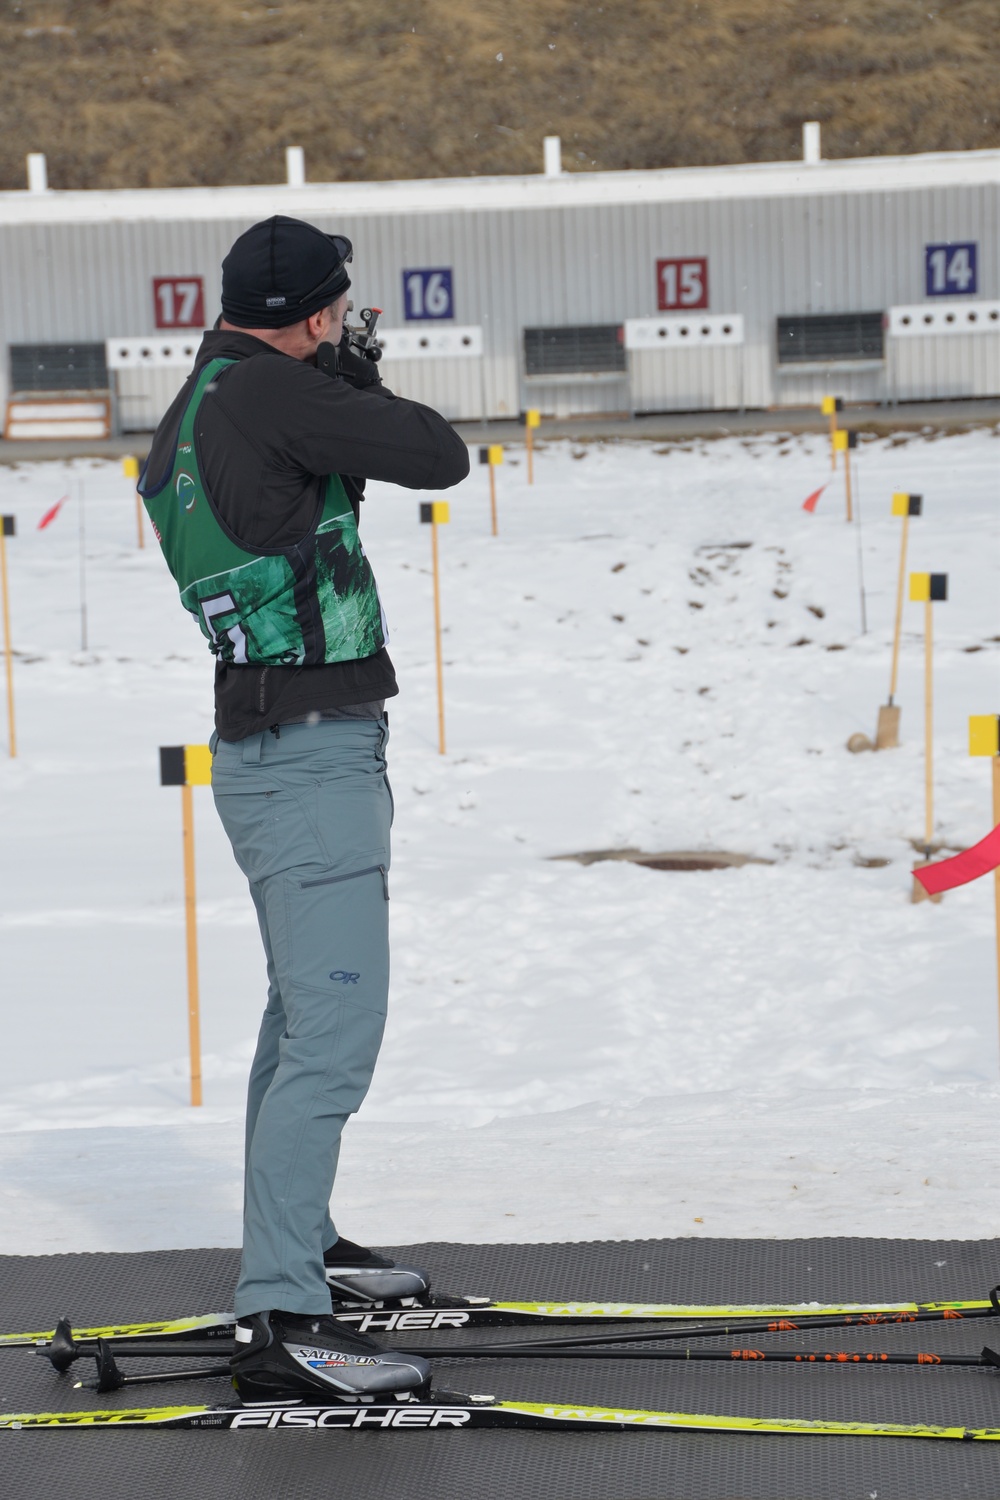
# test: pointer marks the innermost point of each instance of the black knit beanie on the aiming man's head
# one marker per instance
(281, 272)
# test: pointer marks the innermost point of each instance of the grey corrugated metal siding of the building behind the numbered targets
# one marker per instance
(561, 265)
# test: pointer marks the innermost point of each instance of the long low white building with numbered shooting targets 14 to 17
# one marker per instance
(695, 289)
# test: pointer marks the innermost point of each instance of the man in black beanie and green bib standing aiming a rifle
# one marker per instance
(254, 488)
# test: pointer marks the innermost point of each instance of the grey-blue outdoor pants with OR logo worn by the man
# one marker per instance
(308, 815)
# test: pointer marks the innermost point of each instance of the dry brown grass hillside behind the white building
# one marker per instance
(131, 94)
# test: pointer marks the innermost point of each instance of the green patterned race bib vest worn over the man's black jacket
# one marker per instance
(304, 605)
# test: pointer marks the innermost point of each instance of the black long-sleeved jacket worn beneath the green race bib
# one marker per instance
(274, 428)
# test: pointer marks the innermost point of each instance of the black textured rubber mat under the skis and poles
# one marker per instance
(588, 1466)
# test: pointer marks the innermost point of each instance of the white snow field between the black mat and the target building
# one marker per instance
(575, 1052)
